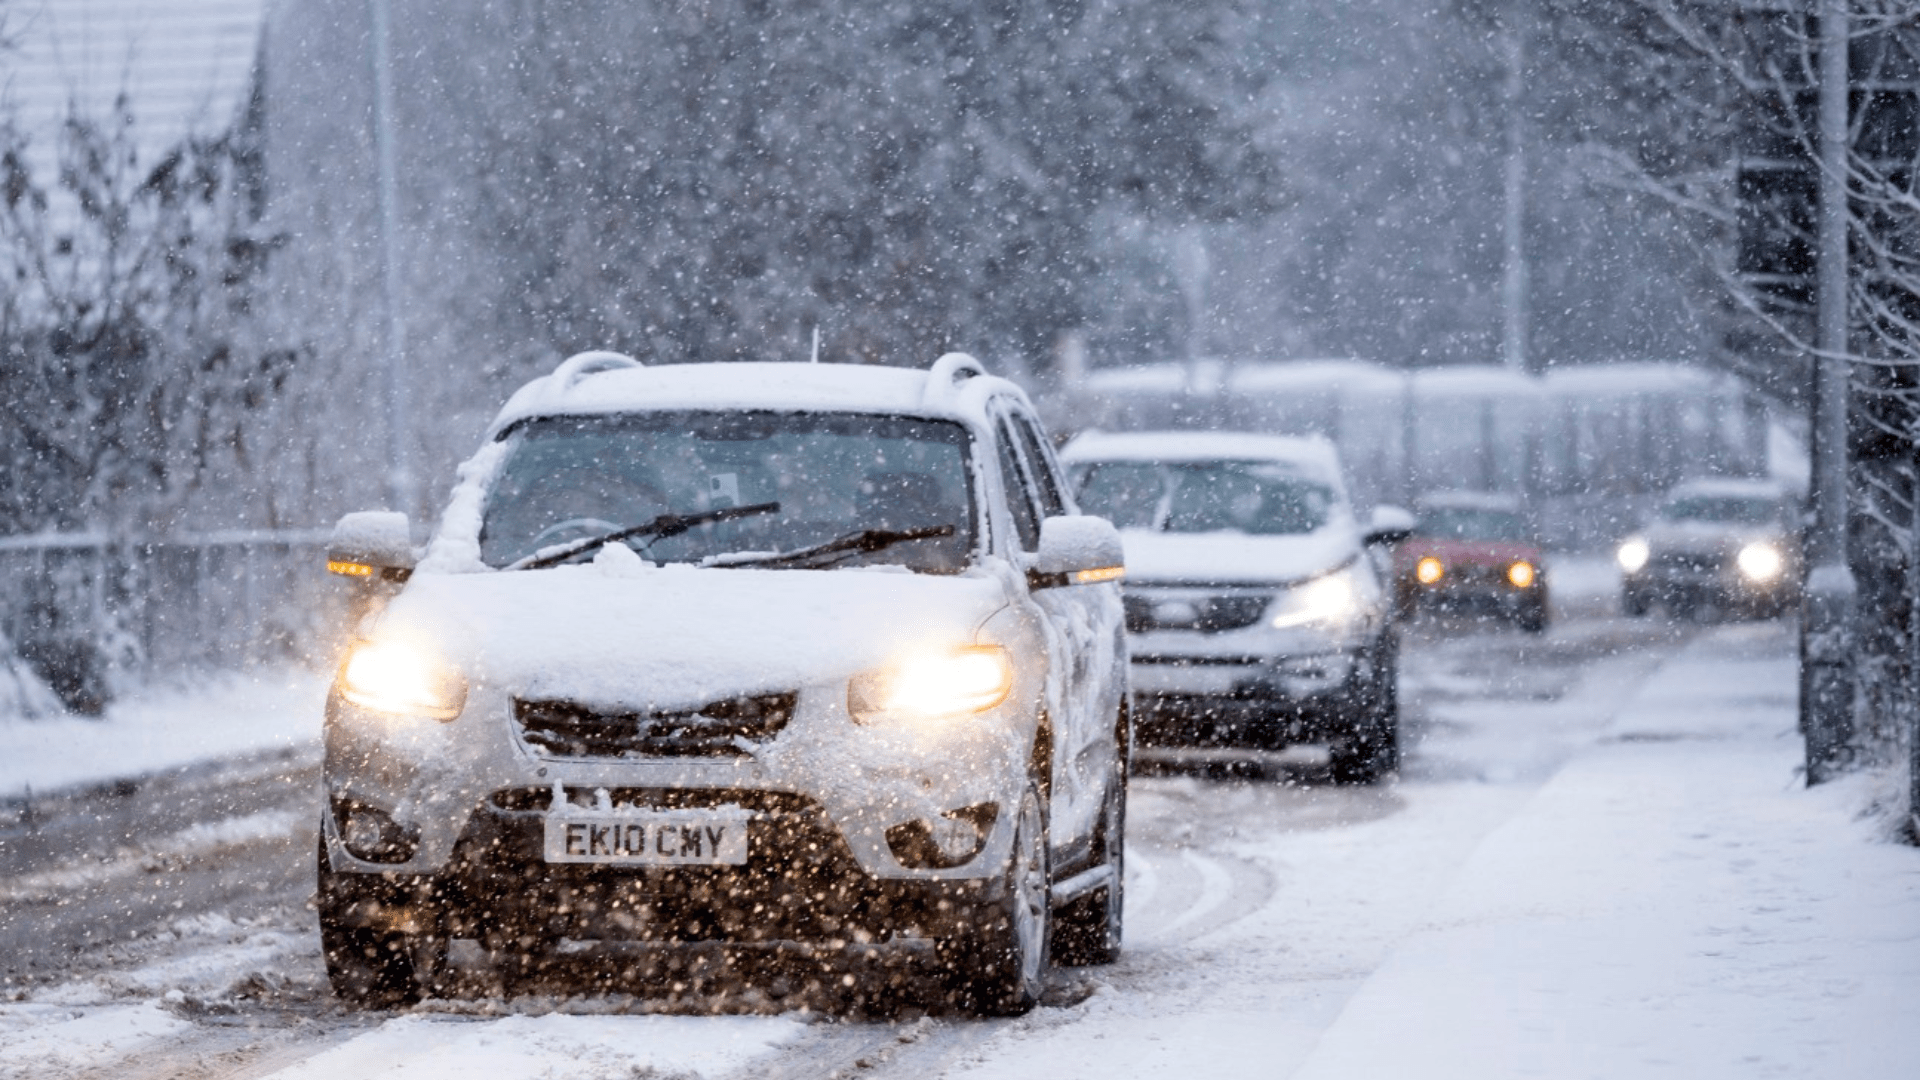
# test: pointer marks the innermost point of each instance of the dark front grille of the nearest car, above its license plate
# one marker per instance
(717, 729)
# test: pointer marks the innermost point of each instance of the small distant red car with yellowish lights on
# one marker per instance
(1474, 552)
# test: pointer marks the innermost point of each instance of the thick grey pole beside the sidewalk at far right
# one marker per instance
(1827, 616)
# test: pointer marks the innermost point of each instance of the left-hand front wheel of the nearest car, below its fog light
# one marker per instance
(368, 968)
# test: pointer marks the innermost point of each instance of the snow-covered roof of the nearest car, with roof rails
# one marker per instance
(957, 387)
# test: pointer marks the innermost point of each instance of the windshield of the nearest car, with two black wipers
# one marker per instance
(569, 479)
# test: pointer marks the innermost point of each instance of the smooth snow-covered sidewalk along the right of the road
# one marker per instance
(1669, 904)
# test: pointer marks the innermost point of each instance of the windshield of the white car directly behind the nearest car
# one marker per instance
(1205, 497)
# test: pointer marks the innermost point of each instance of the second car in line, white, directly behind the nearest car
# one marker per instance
(1257, 616)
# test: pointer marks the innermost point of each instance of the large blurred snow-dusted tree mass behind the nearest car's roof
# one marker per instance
(717, 180)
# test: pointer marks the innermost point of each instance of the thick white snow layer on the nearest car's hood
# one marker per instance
(625, 633)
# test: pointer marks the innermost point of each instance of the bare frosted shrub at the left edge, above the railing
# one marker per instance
(126, 347)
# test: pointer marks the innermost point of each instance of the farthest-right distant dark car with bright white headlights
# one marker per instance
(1716, 547)
